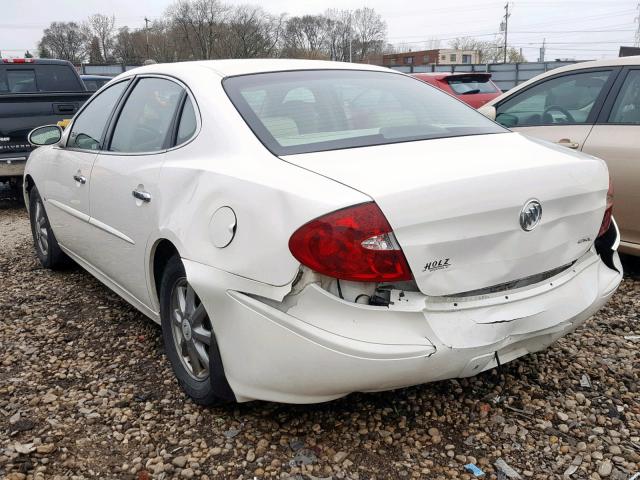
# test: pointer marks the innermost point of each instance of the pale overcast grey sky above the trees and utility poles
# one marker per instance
(582, 29)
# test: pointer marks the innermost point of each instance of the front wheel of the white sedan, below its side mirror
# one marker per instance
(47, 248)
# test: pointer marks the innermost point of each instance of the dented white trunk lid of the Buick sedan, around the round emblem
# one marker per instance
(454, 204)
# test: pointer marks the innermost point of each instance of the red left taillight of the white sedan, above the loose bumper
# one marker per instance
(355, 243)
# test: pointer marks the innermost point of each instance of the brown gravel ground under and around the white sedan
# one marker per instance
(86, 392)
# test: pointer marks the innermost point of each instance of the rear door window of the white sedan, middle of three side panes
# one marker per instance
(144, 122)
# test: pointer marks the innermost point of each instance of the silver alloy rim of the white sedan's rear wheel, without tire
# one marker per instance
(191, 330)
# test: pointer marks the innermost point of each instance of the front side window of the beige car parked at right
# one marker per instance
(562, 100)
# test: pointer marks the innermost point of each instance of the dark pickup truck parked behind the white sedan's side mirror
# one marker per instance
(33, 92)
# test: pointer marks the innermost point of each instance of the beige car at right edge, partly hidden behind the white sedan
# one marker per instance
(593, 107)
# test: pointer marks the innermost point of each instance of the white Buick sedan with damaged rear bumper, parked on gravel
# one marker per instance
(303, 229)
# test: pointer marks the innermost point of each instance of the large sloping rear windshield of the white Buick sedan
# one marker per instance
(317, 110)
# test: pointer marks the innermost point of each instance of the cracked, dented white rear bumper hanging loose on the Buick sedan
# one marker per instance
(322, 347)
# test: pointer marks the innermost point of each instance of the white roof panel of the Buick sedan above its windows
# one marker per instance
(229, 68)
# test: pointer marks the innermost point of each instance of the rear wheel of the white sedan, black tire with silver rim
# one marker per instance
(189, 341)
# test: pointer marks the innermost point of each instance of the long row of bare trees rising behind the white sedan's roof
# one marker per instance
(206, 29)
